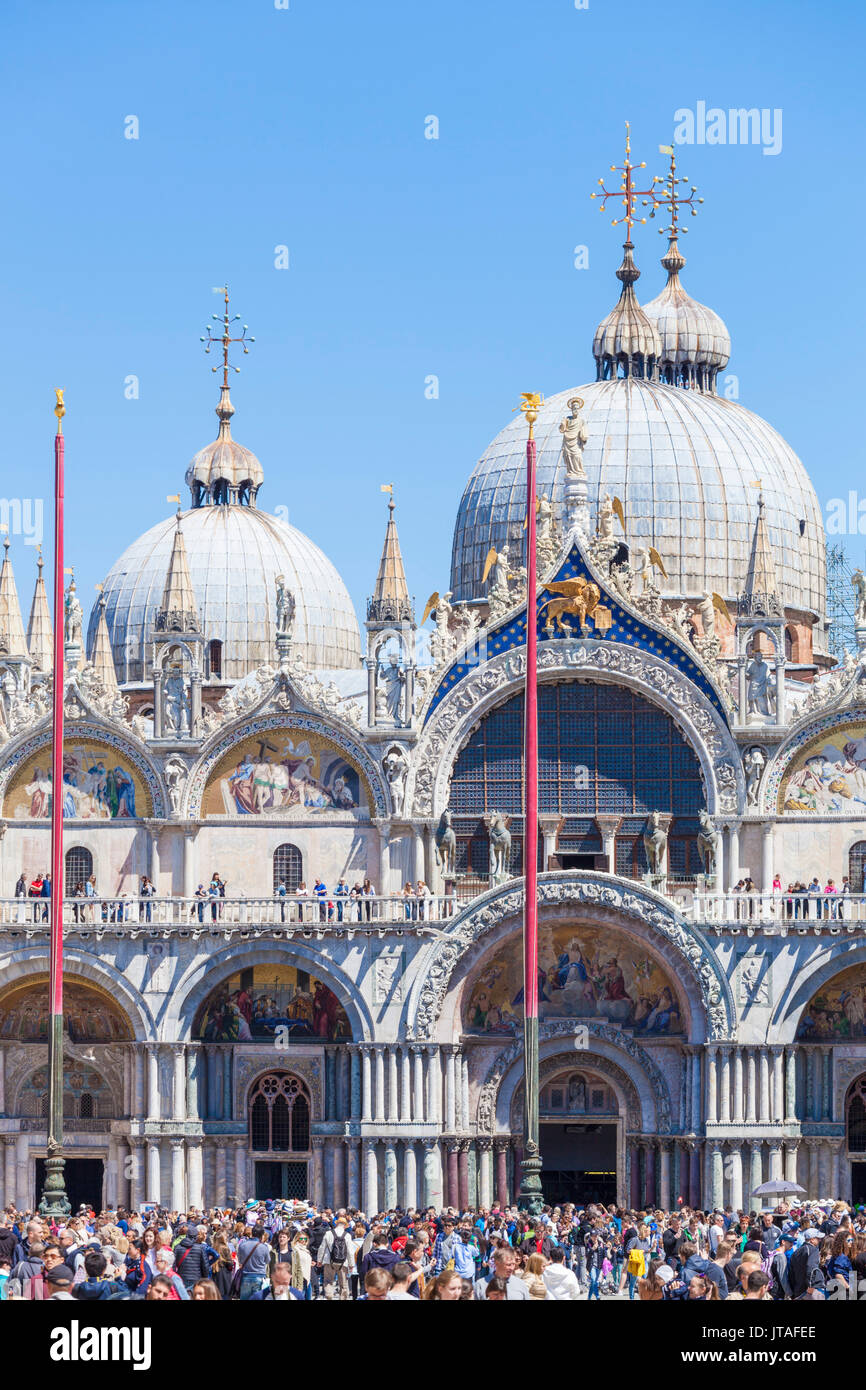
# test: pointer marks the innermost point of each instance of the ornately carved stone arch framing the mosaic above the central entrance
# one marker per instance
(628, 900)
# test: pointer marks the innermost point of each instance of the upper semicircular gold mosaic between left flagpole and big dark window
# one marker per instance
(284, 772)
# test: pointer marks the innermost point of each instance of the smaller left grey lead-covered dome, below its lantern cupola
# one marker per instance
(234, 557)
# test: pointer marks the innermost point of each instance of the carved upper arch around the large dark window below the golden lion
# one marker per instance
(661, 683)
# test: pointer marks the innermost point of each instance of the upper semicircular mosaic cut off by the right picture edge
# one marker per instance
(829, 775)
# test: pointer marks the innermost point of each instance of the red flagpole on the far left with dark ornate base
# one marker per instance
(55, 1202)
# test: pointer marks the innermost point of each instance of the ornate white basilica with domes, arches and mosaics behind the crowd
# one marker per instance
(305, 1024)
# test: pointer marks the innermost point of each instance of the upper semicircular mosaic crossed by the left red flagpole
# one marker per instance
(98, 785)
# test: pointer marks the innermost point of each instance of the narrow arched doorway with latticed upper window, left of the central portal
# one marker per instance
(280, 1135)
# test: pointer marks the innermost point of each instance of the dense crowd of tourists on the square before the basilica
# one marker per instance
(291, 1252)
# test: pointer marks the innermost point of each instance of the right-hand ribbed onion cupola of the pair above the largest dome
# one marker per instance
(694, 341)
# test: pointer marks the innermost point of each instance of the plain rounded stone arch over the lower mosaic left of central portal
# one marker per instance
(208, 974)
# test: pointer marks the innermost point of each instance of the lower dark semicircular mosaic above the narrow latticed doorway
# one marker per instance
(254, 1004)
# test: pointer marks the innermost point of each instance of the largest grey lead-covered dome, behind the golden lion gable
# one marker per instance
(685, 465)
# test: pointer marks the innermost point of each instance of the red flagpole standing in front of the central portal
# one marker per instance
(530, 1196)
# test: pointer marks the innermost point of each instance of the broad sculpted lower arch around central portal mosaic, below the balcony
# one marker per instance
(630, 908)
